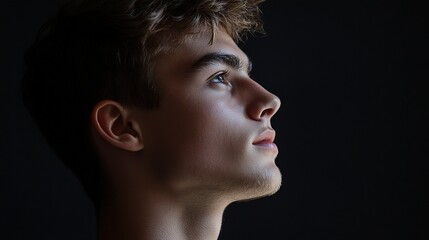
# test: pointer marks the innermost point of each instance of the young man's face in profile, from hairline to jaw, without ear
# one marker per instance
(212, 130)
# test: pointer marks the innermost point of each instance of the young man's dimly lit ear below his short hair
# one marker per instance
(114, 124)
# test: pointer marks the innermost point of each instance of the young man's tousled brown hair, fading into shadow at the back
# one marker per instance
(105, 49)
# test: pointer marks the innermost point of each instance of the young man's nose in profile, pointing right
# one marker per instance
(262, 103)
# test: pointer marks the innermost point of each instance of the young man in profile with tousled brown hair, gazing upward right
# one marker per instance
(150, 103)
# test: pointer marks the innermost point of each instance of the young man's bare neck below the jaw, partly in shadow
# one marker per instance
(156, 215)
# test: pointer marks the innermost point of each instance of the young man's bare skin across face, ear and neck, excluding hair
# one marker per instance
(171, 172)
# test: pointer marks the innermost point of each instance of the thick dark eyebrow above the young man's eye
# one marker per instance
(221, 58)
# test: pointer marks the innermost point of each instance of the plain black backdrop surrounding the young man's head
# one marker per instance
(352, 130)
